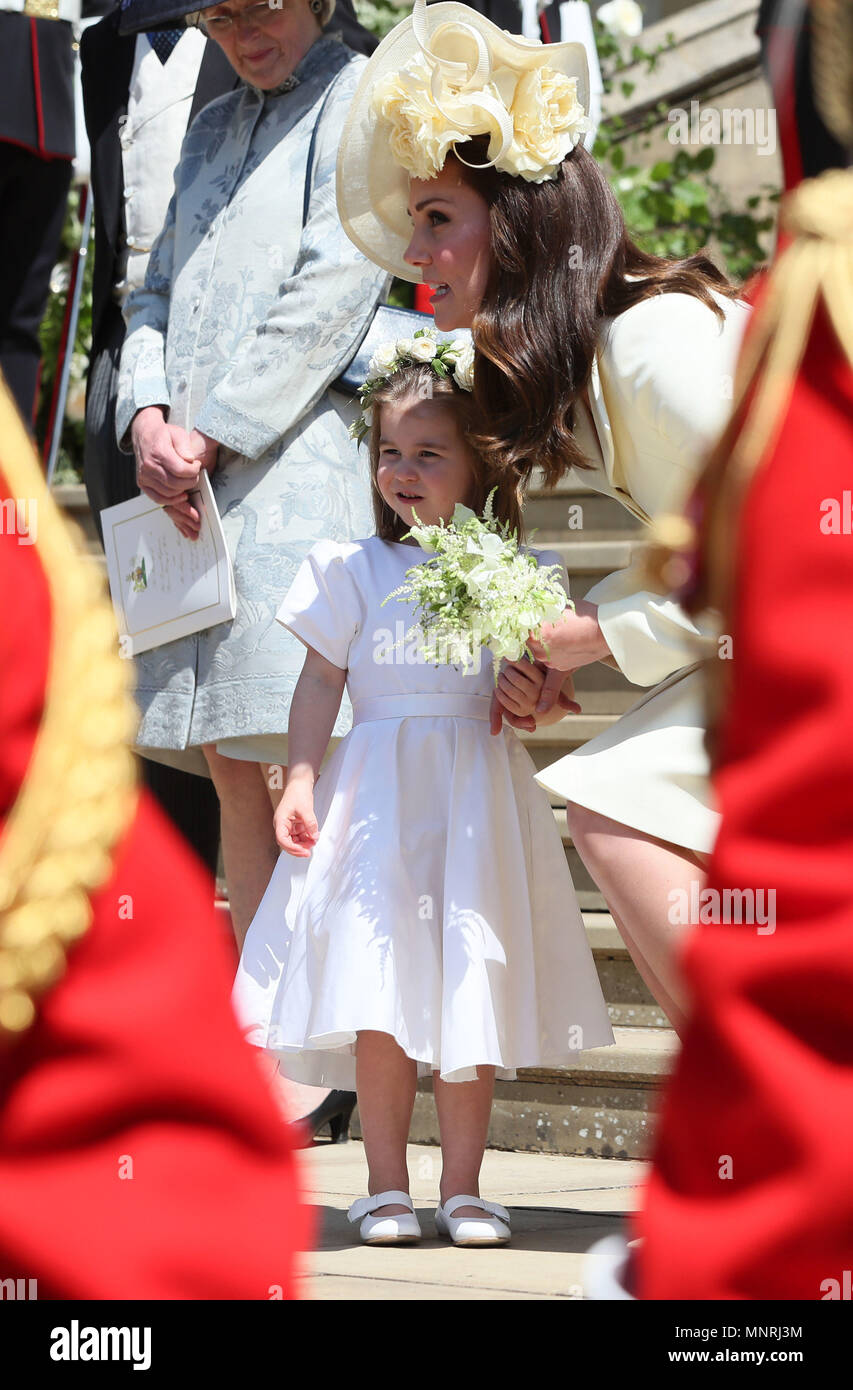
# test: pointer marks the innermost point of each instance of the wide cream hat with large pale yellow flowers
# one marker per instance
(442, 77)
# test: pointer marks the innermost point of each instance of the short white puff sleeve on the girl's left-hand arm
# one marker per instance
(322, 607)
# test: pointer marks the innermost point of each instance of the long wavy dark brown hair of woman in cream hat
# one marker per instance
(562, 262)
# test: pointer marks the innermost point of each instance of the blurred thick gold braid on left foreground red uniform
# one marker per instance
(81, 789)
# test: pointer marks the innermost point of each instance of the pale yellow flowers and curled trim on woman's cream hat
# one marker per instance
(533, 116)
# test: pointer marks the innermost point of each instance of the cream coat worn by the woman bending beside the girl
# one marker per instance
(661, 394)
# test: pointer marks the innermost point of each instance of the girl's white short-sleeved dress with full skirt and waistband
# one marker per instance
(437, 904)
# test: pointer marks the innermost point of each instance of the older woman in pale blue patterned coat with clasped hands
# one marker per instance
(247, 319)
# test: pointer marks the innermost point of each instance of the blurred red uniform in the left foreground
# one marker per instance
(141, 1153)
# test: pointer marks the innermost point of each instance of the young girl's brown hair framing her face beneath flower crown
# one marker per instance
(422, 383)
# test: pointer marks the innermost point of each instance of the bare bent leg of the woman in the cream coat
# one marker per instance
(640, 876)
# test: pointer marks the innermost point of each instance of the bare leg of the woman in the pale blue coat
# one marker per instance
(249, 849)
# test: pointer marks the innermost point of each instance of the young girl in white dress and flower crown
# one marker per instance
(423, 918)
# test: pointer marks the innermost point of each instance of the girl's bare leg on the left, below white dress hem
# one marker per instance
(386, 1084)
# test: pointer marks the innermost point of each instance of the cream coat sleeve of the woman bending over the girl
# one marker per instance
(668, 372)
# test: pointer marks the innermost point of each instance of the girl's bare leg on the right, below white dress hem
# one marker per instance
(463, 1110)
